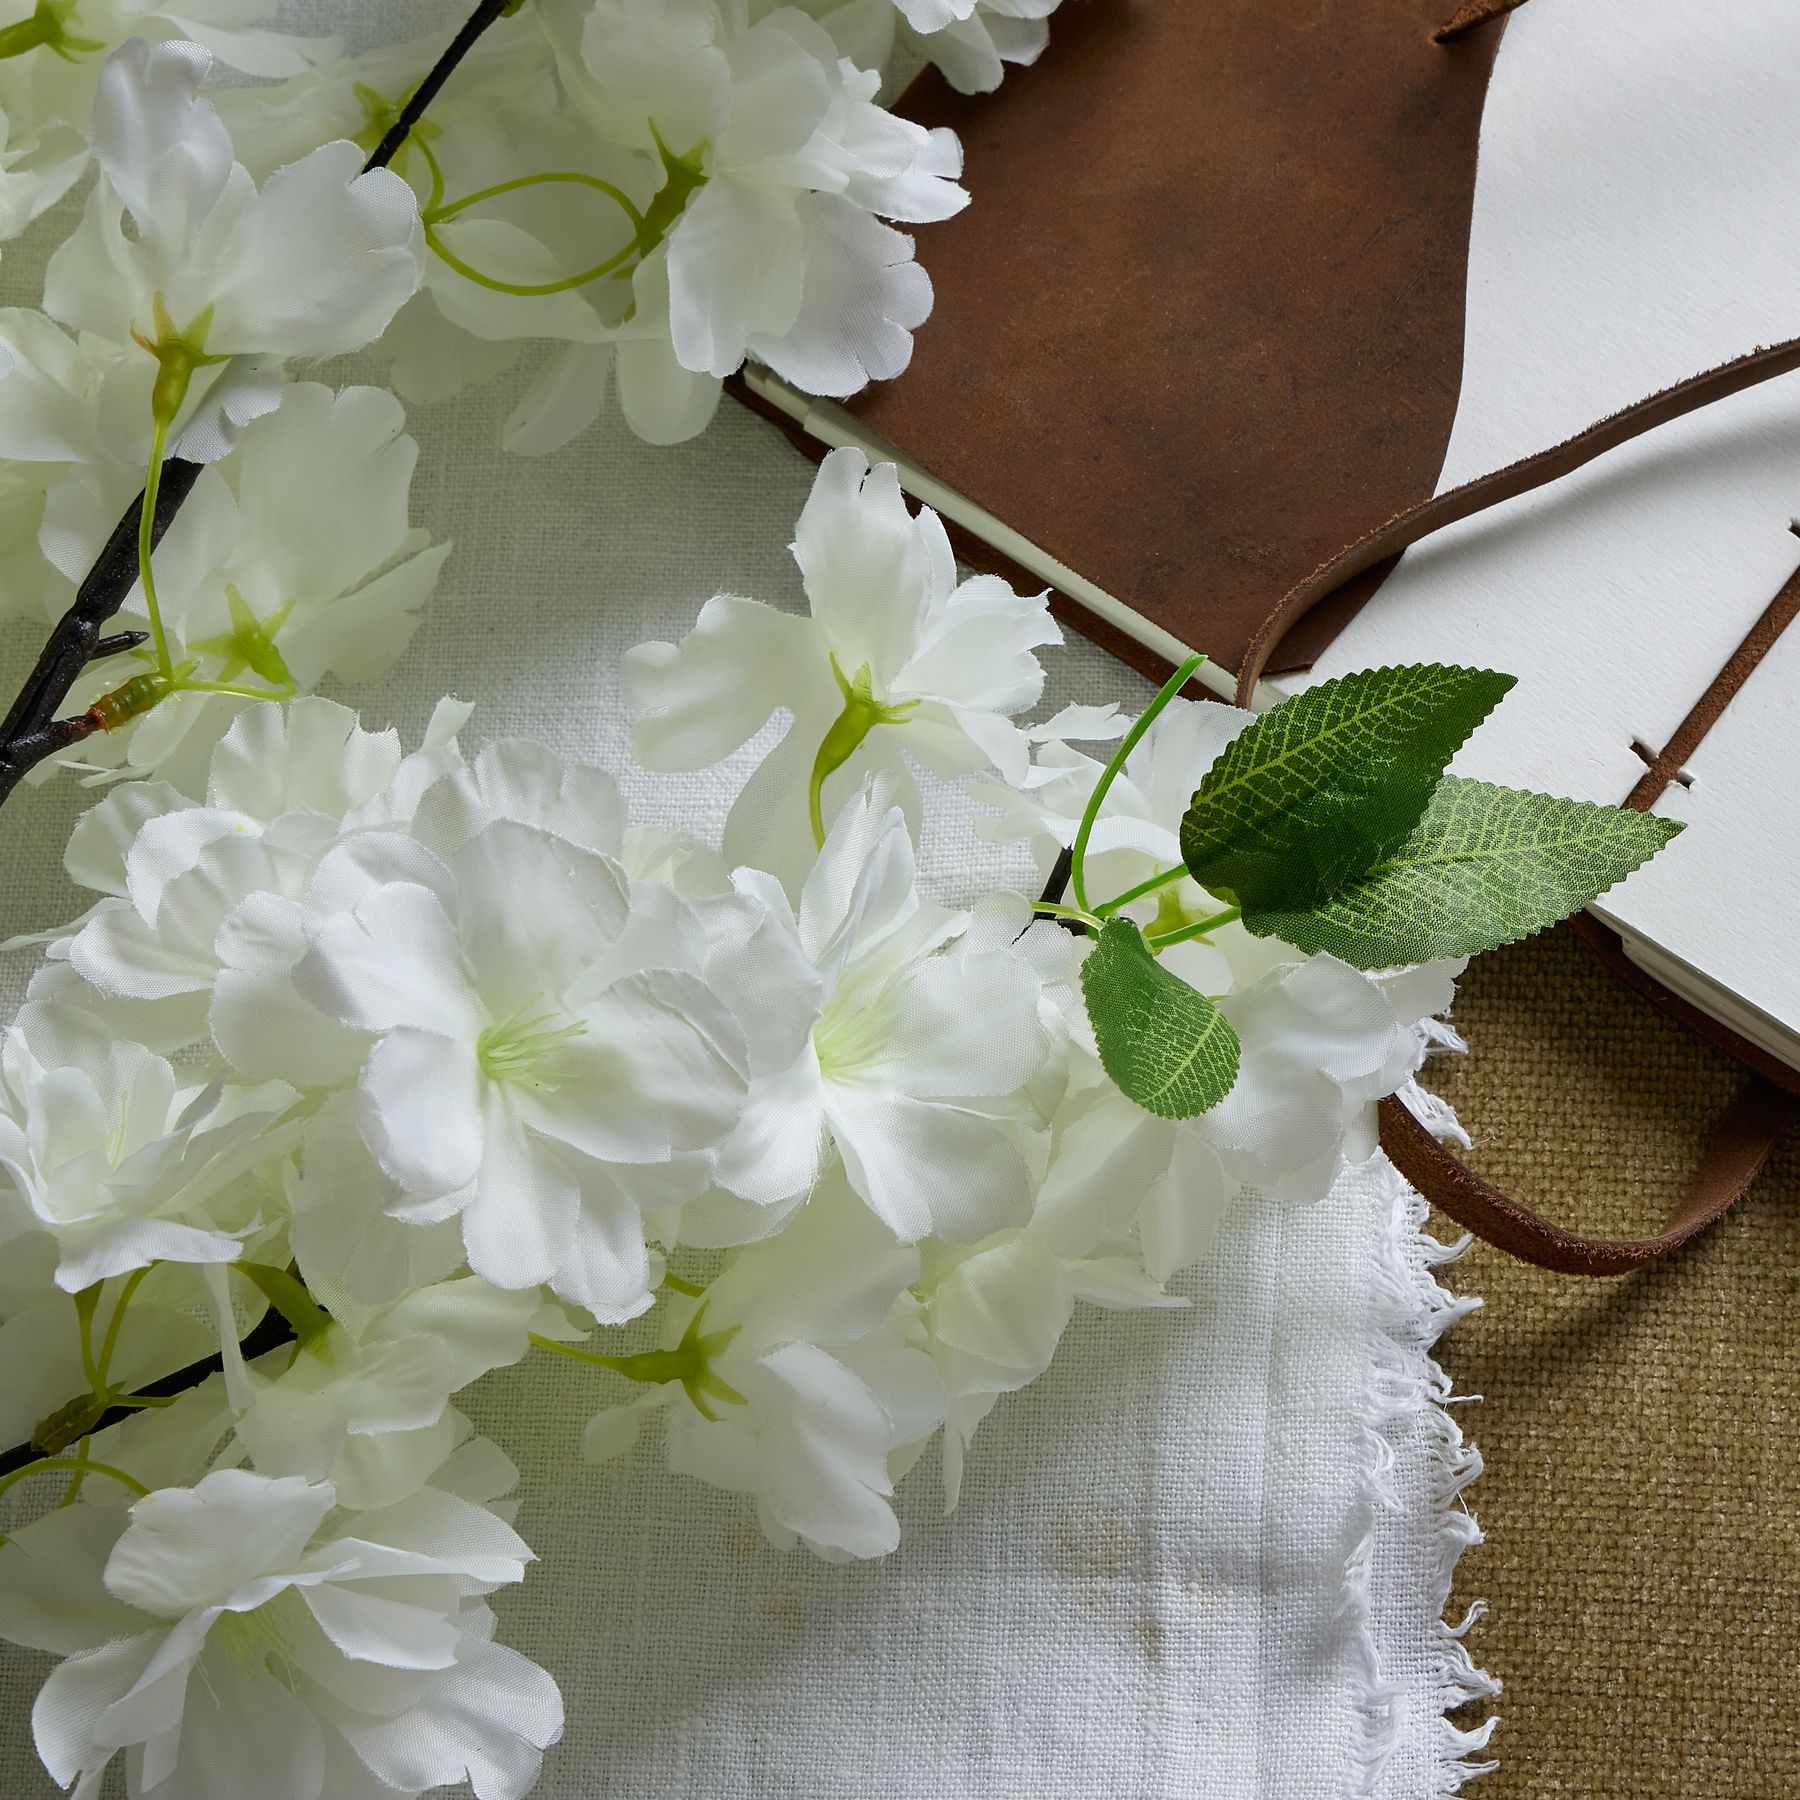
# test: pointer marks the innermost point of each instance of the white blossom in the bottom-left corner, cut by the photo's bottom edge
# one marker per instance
(247, 1635)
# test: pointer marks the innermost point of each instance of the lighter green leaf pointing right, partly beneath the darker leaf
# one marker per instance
(1484, 867)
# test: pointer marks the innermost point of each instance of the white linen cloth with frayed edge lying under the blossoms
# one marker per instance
(1205, 1556)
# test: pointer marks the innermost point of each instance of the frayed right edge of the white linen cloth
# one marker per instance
(1408, 1392)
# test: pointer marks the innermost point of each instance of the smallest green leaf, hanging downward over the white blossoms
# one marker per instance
(1165, 1045)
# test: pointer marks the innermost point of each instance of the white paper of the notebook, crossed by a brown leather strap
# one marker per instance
(1633, 226)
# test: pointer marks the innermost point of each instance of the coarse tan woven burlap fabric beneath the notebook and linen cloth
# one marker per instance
(1639, 1500)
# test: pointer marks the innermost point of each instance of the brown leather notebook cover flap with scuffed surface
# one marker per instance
(1201, 325)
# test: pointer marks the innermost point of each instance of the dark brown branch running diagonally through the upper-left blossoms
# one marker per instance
(31, 730)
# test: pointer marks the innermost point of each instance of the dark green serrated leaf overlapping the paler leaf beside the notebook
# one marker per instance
(1326, 784)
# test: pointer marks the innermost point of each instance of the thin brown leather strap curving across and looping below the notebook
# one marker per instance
(1770, 1099)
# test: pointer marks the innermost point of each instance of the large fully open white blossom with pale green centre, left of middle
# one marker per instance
(544, 1072)
